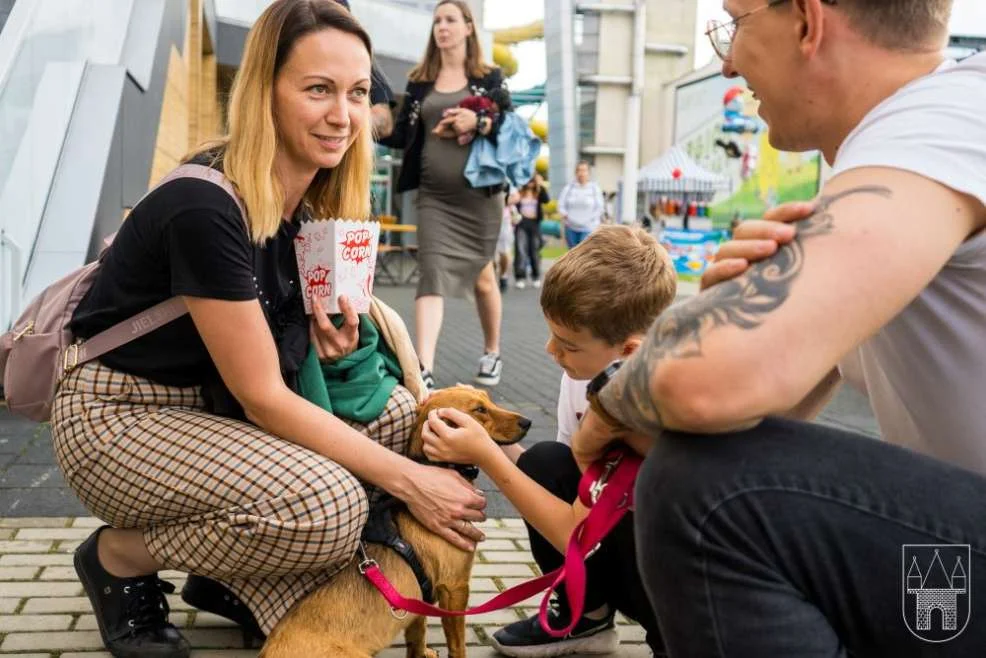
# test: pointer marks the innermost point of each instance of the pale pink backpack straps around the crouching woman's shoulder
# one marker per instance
(160, 314)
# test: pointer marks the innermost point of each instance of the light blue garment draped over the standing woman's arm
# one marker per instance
(510, 160)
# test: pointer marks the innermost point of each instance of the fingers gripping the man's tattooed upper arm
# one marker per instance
(755, 240)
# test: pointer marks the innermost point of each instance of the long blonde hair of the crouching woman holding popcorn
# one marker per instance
(248, 149)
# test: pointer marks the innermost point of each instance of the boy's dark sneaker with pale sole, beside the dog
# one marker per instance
(526, 638)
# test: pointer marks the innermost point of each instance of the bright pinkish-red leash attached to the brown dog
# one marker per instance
(606, 489)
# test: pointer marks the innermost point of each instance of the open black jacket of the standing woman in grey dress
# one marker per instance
(409, 130)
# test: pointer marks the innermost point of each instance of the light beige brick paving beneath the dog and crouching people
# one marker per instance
(45, 614)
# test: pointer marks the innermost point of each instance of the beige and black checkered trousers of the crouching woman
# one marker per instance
(216, 497)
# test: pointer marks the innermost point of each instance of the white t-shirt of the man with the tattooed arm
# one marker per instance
(924, 372)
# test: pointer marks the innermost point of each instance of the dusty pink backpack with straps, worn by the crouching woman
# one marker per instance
(39, 350)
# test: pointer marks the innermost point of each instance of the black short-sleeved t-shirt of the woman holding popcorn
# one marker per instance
(187, 237)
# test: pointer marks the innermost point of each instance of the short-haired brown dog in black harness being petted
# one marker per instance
(347, 617)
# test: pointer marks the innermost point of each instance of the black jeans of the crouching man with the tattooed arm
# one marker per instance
(789, 540)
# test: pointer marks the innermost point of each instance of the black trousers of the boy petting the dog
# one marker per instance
(612, 576)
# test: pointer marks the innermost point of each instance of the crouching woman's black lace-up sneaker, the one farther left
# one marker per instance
(132, 613)
